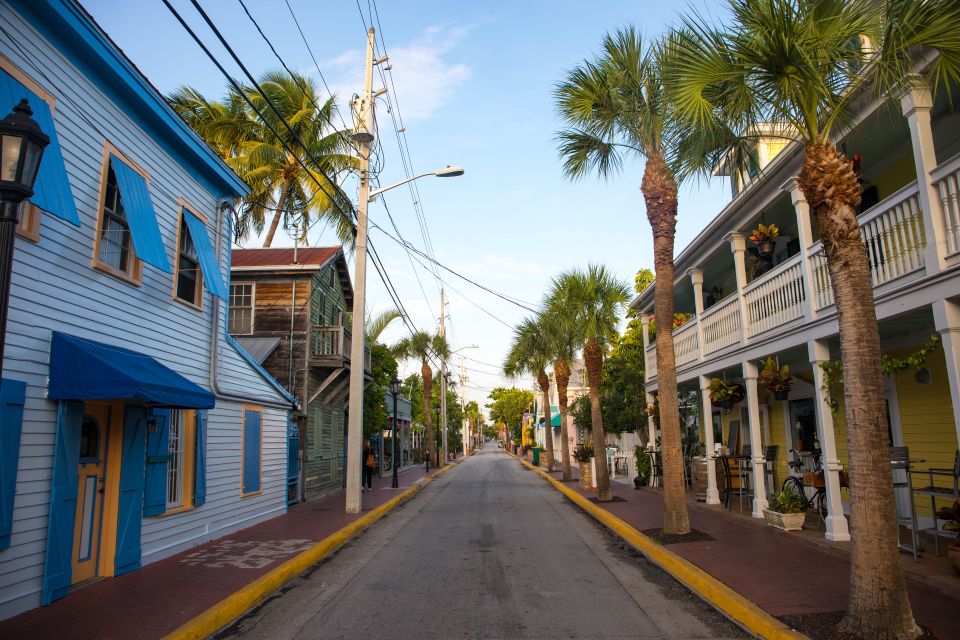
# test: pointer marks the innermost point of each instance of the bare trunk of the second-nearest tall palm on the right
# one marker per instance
(660, 195)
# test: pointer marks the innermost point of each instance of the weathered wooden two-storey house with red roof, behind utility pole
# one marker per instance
(288, 307)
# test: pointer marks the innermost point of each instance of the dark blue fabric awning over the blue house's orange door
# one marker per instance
(86, 370)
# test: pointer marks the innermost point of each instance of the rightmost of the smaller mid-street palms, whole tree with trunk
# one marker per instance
(596, 299)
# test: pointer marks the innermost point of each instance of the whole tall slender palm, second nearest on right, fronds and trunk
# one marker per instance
(616, 109)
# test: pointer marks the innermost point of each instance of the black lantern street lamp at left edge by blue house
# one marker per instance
(21, 148)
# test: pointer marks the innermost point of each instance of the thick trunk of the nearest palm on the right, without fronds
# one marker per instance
(879, 606)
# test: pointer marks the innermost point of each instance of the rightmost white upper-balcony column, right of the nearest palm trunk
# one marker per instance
(916, 103)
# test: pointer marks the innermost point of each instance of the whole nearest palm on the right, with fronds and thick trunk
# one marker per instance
(799, 65)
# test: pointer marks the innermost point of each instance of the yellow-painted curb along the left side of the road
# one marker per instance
(236, 604)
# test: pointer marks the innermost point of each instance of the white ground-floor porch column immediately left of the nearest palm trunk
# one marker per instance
(837, 528)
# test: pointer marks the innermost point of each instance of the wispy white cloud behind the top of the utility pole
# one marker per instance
(423, 76)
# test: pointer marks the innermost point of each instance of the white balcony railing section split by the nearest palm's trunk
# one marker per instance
(894, 236)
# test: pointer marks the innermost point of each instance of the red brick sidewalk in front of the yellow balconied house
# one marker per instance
(781, 574)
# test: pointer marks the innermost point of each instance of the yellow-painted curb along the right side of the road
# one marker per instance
(729, 602)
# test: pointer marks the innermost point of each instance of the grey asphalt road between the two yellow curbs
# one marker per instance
(487, 550)
